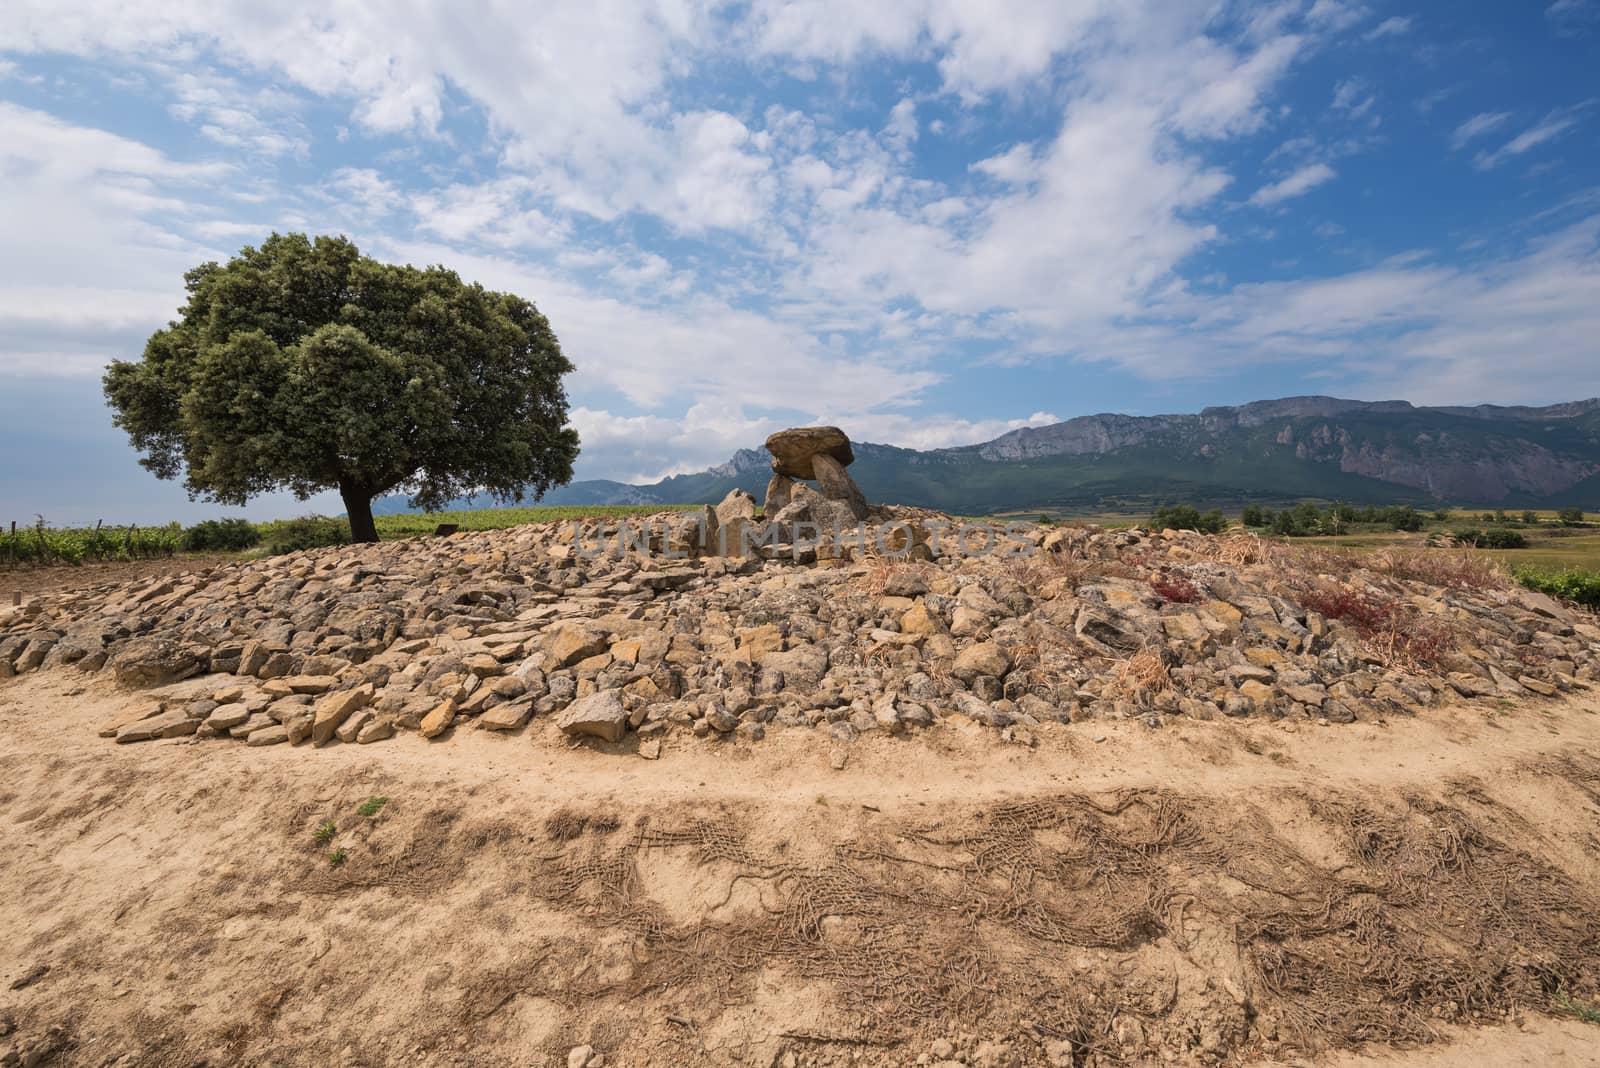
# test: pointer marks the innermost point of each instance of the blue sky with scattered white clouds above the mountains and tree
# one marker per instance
(929, 221)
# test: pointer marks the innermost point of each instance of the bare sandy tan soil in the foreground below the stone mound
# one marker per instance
(1215, 893)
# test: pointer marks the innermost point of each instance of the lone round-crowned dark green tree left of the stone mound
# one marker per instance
(310, 367)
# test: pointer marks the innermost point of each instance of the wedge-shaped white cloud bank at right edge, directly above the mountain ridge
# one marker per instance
(1410, 329)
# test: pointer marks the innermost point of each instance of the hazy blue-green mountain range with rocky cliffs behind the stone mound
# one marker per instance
(1268, 452)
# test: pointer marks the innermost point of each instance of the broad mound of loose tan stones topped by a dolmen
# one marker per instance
(1054, 626)
